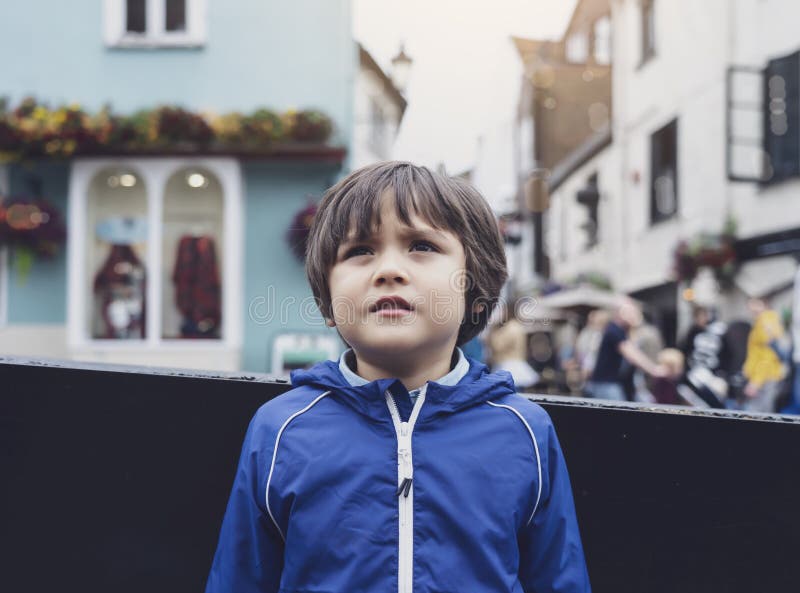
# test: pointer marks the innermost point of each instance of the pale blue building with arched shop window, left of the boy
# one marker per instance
(177, 256)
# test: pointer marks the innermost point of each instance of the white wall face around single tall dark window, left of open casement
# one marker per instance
(685, 80)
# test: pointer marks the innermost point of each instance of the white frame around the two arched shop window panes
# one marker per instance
(155, 172)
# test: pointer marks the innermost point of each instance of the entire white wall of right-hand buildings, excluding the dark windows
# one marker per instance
(696, 42)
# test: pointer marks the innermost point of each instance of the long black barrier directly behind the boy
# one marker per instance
(115, 480)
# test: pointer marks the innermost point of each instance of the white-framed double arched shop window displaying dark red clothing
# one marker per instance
(153, 255)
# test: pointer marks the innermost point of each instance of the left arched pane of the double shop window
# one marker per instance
(116, 251)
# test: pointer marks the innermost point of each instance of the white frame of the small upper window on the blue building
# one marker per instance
(156, 35)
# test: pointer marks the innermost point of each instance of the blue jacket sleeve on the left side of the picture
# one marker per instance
(249, 556)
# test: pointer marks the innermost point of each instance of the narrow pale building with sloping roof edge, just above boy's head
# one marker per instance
(379, 110)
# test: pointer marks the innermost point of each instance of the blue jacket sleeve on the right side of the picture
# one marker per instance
(551, 553)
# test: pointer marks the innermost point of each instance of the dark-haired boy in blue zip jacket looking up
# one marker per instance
(404, 466)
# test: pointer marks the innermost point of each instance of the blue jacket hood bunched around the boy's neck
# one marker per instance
(476, 386)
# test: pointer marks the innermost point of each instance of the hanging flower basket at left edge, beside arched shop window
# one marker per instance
(30, 228)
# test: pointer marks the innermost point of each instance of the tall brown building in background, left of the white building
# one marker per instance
(565, 105)
